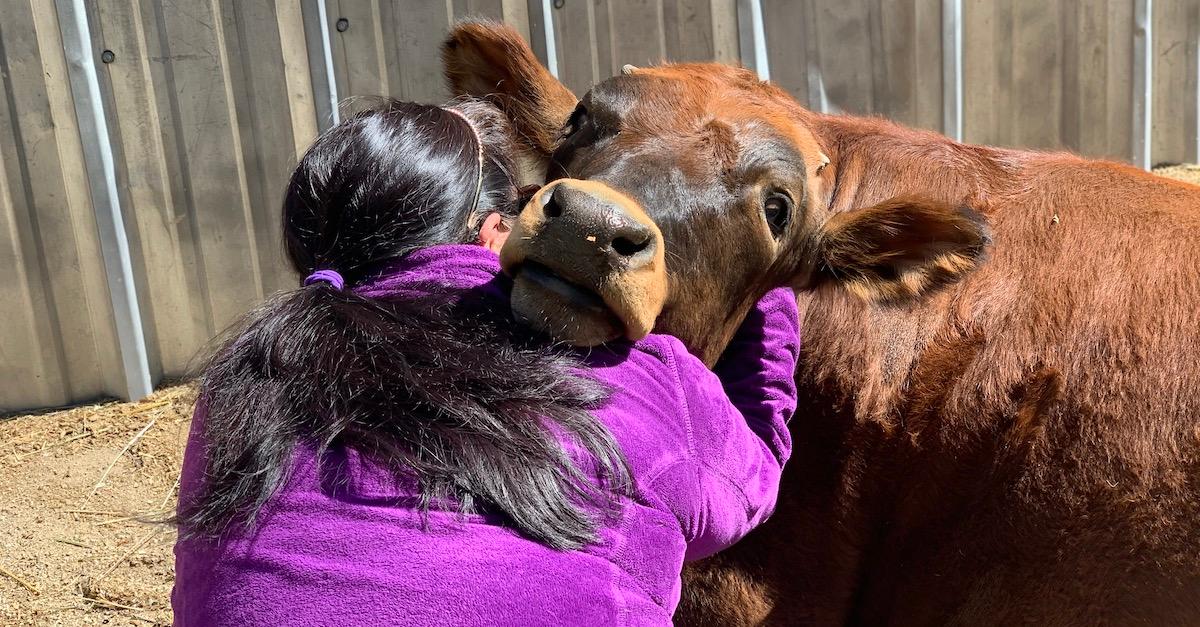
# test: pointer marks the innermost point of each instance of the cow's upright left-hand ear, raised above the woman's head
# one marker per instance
(490, 61)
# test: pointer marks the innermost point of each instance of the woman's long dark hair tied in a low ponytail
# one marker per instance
(460, 401)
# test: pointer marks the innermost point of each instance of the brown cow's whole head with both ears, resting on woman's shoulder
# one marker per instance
(683, 193)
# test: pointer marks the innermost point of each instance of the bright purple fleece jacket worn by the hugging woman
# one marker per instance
(705, 453)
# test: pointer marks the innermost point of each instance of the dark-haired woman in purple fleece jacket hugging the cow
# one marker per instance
(386, 446)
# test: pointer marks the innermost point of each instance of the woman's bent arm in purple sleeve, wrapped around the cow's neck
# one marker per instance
(739, 421)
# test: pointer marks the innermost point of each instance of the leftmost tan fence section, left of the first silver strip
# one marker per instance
(55, 214)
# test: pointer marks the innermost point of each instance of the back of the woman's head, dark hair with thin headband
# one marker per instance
(397, 178)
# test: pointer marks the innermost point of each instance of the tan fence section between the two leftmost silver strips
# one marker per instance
(268, 85)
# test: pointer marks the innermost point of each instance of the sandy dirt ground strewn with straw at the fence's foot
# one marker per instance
(81, 491)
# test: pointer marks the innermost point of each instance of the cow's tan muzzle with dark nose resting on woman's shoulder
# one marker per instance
(587, 265)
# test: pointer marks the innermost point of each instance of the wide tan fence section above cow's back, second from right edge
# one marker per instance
(1049, 75)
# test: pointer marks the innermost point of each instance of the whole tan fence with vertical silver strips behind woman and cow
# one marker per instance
(145, 145)
